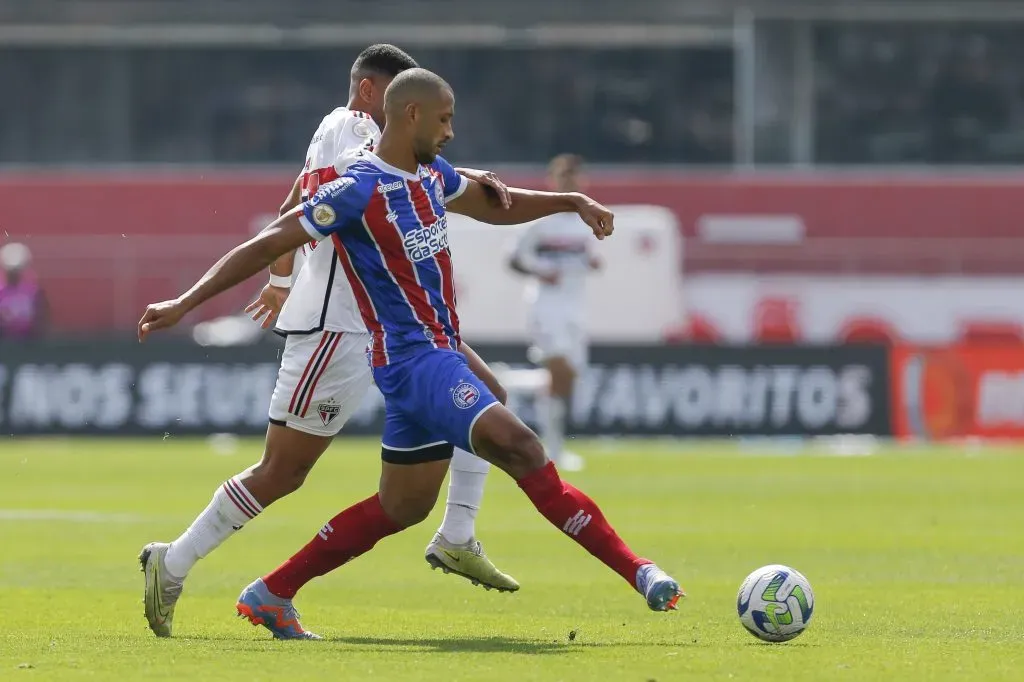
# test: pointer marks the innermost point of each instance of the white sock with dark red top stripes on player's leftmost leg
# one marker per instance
(231, 508)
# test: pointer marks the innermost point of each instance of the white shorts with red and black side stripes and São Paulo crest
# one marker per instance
(323, 380)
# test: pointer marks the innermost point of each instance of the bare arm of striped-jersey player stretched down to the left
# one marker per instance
(285, 235)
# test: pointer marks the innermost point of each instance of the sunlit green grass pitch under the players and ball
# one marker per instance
(917, 560)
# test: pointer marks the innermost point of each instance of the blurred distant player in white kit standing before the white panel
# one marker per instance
(557, 252)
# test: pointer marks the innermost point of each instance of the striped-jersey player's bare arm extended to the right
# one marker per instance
(528, 205)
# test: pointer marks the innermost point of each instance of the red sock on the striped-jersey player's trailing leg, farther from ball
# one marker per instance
(346, 537)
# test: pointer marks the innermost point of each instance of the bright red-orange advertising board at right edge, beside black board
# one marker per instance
(959, 392)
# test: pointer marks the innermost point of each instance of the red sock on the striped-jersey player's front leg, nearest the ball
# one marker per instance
(580, 519)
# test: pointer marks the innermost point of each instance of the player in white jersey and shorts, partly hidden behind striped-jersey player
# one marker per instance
(324, 373)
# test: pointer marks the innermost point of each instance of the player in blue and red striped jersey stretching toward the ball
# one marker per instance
(387, 219)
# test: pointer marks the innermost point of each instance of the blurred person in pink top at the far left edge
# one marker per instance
(23, 305)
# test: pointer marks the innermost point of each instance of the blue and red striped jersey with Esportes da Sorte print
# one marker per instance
(391, 232)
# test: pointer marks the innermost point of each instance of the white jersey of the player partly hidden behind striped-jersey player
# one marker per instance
(322, 300)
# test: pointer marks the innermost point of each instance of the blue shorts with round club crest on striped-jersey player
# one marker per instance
(432, 402)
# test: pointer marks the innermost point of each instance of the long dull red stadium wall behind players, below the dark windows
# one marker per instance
(106, 243)
